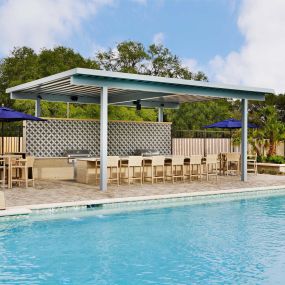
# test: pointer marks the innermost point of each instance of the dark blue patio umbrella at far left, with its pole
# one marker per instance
(10, 115)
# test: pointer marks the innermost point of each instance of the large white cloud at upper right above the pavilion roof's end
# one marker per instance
(261, 60)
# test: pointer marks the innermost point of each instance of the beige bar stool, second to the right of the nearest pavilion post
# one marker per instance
(134, 169)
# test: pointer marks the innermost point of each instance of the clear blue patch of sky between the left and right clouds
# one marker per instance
(190, 28)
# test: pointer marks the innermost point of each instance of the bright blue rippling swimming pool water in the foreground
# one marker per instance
(232, 242)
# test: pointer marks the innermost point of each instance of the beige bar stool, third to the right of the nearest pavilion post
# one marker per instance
(156, 165)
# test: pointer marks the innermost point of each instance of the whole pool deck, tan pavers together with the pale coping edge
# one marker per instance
(50, 194)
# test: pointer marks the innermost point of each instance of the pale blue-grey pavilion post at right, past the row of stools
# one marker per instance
(244, 108)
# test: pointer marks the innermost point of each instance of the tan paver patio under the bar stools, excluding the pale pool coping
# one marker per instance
(47, 191)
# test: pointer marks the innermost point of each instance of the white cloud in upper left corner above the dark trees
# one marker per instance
(42, 23)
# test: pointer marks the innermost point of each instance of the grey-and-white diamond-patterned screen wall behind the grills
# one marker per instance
(51, 138)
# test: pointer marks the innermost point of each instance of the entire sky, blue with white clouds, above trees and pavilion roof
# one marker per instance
(232, 41)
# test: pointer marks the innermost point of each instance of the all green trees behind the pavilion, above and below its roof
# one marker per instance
(24, 65)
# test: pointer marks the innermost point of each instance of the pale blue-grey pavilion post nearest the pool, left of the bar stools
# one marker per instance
(103, 137)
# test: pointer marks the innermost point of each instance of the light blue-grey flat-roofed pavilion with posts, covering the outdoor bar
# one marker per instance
(105, 88)
